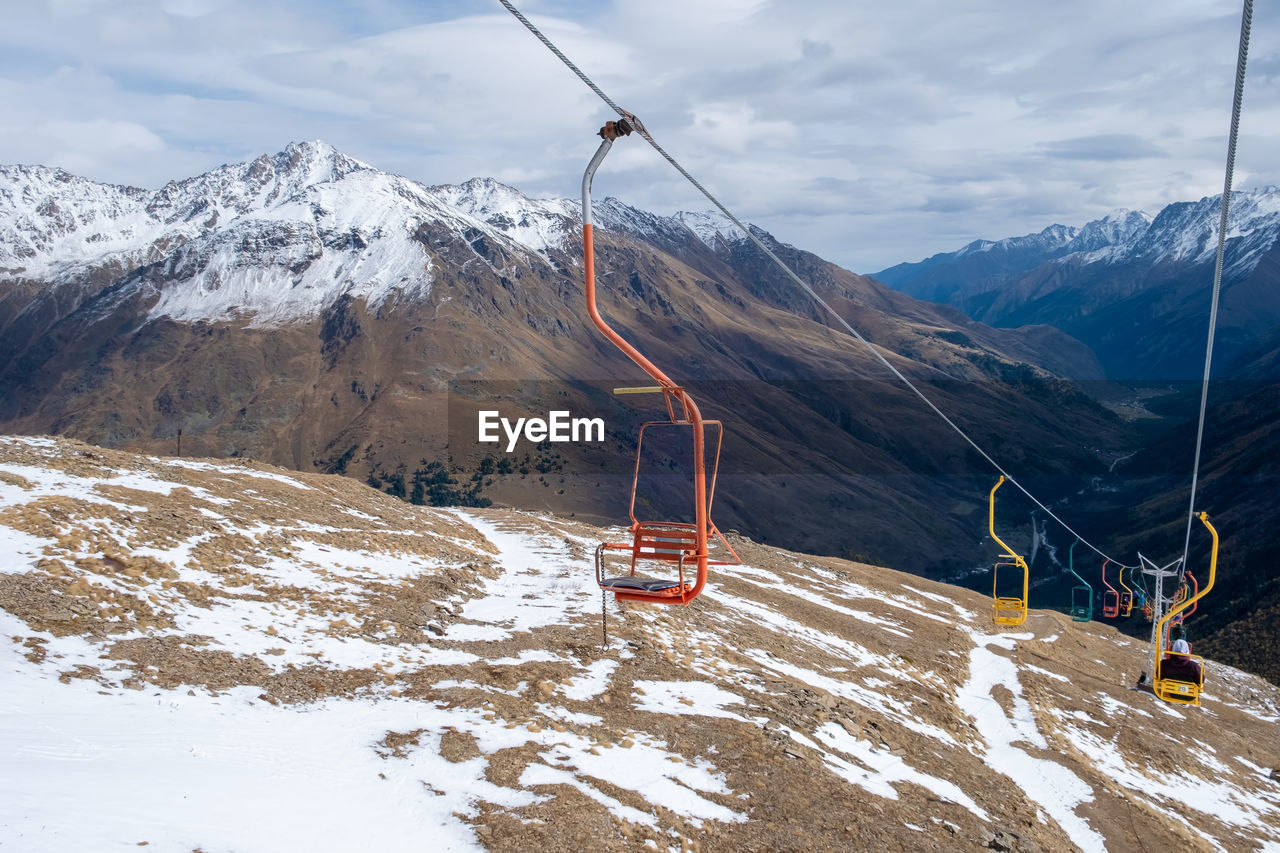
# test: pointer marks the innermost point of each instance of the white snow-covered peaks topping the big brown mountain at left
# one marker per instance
(280, 238)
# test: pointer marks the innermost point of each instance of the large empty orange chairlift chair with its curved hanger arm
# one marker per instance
(678, 548)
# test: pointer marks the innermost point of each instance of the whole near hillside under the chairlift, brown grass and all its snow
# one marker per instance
(218, 655)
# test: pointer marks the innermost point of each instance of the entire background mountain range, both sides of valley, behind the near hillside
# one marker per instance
(310, 311)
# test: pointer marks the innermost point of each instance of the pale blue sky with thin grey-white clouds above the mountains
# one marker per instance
(868, 133)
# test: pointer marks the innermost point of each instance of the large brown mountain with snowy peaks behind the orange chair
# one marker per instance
(310, 311)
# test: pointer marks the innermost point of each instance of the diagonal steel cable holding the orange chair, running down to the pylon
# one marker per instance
(639, 126)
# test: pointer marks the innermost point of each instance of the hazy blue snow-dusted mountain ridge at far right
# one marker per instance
(1135, 289)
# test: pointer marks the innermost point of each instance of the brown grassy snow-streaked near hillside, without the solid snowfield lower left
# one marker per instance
(848, 708)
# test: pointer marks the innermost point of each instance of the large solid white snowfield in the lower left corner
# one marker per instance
(180, 773)
